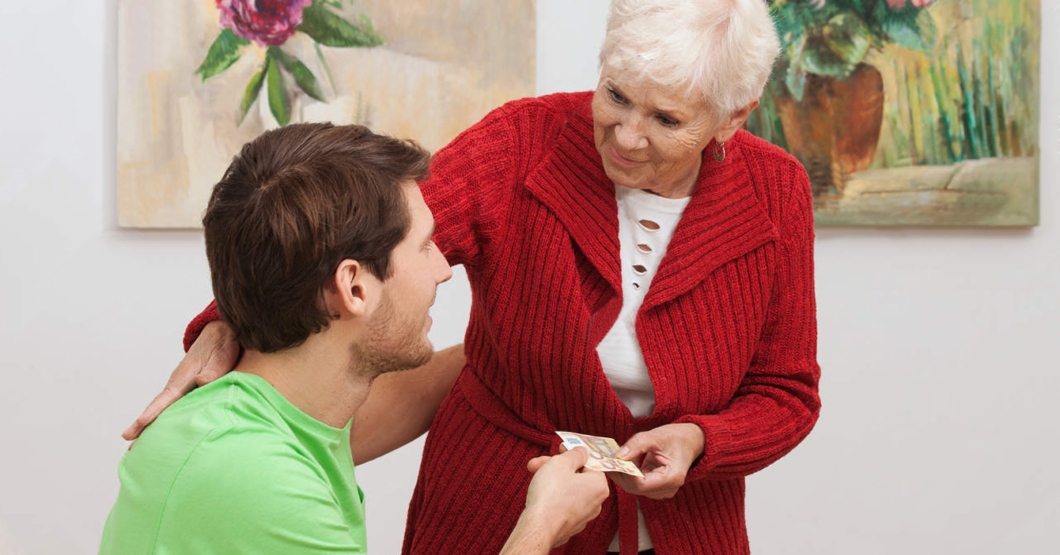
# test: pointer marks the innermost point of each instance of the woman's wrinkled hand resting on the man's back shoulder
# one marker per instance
(214, 355)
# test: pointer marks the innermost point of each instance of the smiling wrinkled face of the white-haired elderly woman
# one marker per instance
(650, 137)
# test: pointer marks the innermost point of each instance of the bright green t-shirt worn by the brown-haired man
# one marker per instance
(234, 468)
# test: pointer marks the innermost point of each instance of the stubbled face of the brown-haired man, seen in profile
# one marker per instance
(398, 328)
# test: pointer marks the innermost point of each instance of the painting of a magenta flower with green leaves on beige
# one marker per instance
(199, 79)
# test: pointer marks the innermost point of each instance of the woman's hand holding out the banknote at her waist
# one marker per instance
(664, 455)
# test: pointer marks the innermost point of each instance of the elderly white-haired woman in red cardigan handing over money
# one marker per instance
(642, 270)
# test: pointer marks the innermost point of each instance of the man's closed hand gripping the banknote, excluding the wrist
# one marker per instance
(562, 496)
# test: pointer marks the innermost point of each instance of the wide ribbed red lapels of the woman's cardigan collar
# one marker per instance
(723, 221)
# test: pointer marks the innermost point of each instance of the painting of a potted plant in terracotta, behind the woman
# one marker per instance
(910, 113)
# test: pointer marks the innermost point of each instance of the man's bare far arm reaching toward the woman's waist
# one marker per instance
(402, 405)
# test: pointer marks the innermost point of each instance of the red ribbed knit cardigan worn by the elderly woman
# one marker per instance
(728, 329)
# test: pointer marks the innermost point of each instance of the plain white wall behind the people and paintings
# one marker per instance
(940, 432)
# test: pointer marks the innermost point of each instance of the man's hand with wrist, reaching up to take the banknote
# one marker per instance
(561, 502)
